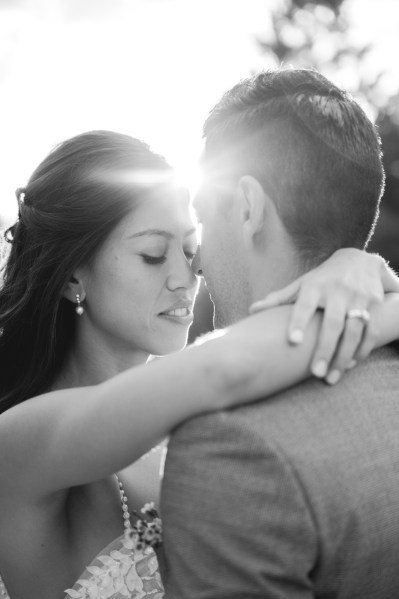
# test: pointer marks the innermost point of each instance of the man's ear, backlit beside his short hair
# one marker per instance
(253, 209)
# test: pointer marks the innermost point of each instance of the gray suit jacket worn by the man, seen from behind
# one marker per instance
(293, 497)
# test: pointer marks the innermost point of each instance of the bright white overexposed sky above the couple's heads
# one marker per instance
(151, 68)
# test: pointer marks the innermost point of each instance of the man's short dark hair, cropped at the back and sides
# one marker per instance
(311, 147)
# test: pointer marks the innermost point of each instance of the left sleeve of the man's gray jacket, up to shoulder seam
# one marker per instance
(236, 522)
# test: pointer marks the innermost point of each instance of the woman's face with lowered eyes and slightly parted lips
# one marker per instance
(140, 291)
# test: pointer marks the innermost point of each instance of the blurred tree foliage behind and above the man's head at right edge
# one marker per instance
(318, 34)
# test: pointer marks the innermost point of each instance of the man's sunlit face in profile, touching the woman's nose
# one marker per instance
(223, 257)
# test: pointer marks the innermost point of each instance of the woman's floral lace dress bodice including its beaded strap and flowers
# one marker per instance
(126, 569)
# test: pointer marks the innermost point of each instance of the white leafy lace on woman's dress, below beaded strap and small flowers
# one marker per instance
(120, 572)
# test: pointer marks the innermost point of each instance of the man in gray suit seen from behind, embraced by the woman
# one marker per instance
(297, 496)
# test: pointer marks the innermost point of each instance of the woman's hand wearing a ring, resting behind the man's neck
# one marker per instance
(346, 287)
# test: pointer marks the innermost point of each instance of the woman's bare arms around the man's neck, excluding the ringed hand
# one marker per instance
(74, 436)
